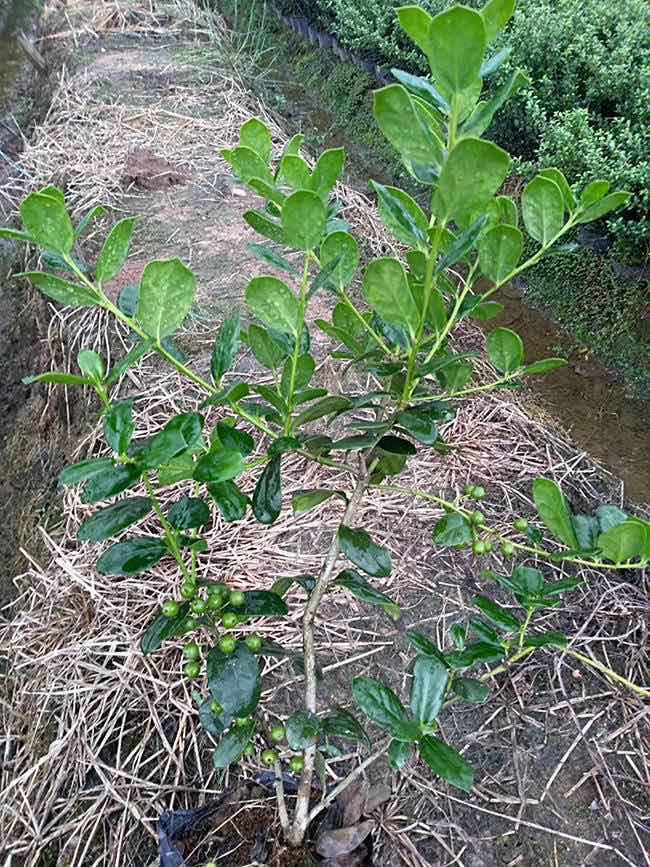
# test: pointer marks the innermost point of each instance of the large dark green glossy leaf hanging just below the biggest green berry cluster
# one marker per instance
(234, 680)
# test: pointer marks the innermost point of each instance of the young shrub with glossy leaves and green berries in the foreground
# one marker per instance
(393, 319)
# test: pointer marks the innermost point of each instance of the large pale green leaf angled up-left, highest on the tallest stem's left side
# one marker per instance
(399, 121)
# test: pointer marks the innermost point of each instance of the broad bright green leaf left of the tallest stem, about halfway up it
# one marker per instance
(386, 290)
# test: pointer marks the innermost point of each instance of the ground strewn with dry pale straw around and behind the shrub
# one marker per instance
(98, 740)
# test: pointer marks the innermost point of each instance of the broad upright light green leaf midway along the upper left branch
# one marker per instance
(167, 290)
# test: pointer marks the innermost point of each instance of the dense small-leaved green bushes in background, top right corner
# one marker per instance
(588, 108)
